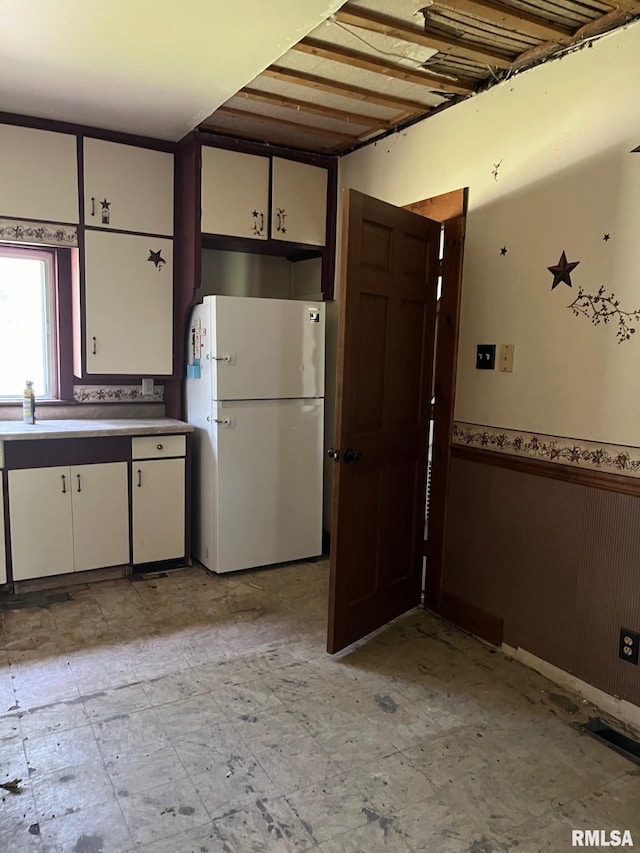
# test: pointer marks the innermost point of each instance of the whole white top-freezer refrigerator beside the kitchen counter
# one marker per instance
(254, 392)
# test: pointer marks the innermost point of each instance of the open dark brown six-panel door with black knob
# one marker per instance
(384, 381)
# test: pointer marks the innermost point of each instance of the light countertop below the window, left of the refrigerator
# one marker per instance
(16, 430)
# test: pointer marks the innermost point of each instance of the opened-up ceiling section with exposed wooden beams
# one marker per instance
(378, 65)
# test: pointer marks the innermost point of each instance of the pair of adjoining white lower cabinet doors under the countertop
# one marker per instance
(68, 518)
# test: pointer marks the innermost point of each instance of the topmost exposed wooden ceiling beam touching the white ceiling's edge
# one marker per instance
(365, 19)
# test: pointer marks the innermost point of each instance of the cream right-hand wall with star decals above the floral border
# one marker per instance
(562, 135)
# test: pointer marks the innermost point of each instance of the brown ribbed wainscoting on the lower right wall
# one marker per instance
(557, 561)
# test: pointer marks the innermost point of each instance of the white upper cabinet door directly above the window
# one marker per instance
(38, 175)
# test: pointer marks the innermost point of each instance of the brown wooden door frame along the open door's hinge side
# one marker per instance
(451, 210)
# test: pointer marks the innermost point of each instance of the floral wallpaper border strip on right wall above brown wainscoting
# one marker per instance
(591, 455)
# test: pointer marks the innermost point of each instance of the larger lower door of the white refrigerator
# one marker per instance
(268, 483)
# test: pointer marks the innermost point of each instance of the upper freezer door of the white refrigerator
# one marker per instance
(265, 348)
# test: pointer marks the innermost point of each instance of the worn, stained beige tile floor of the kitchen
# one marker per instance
(194, 714)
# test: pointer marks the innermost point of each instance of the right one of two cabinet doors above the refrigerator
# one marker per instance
(299, 202)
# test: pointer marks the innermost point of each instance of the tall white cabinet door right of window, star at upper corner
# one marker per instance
(129, 304)
